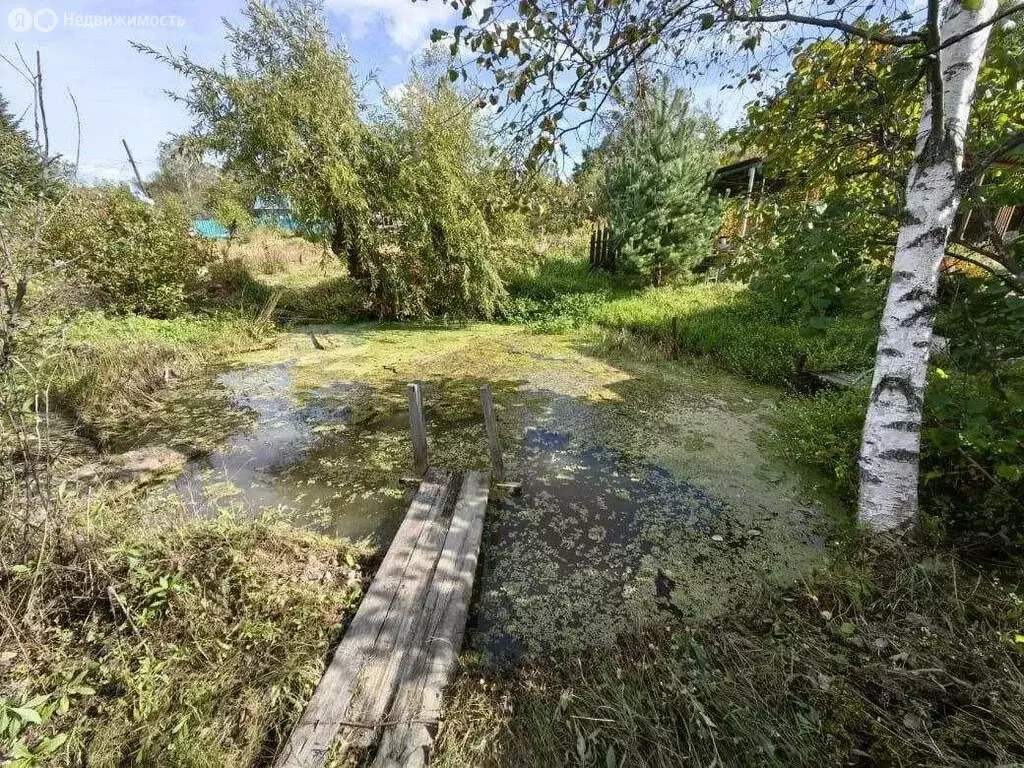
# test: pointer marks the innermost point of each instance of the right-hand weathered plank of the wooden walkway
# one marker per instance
(418, 701)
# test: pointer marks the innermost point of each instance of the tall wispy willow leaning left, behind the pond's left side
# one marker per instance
(282, 111)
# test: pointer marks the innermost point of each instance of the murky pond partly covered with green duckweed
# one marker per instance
(646, 491)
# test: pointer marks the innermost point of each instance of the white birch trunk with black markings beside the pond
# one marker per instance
(891, 444)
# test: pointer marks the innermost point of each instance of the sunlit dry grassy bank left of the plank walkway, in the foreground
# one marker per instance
(139, 638)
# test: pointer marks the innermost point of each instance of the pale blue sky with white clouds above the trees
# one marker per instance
(122, 94)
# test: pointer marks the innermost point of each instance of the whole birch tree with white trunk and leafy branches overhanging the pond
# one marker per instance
(554, 65)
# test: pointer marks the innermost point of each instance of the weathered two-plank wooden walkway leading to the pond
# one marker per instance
(388, 675)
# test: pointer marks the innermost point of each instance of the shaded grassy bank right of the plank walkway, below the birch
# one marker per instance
(890, 657)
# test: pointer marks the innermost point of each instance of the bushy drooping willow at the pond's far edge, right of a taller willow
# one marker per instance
(439, 254)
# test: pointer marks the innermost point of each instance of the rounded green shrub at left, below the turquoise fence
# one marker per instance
(140, 260)
